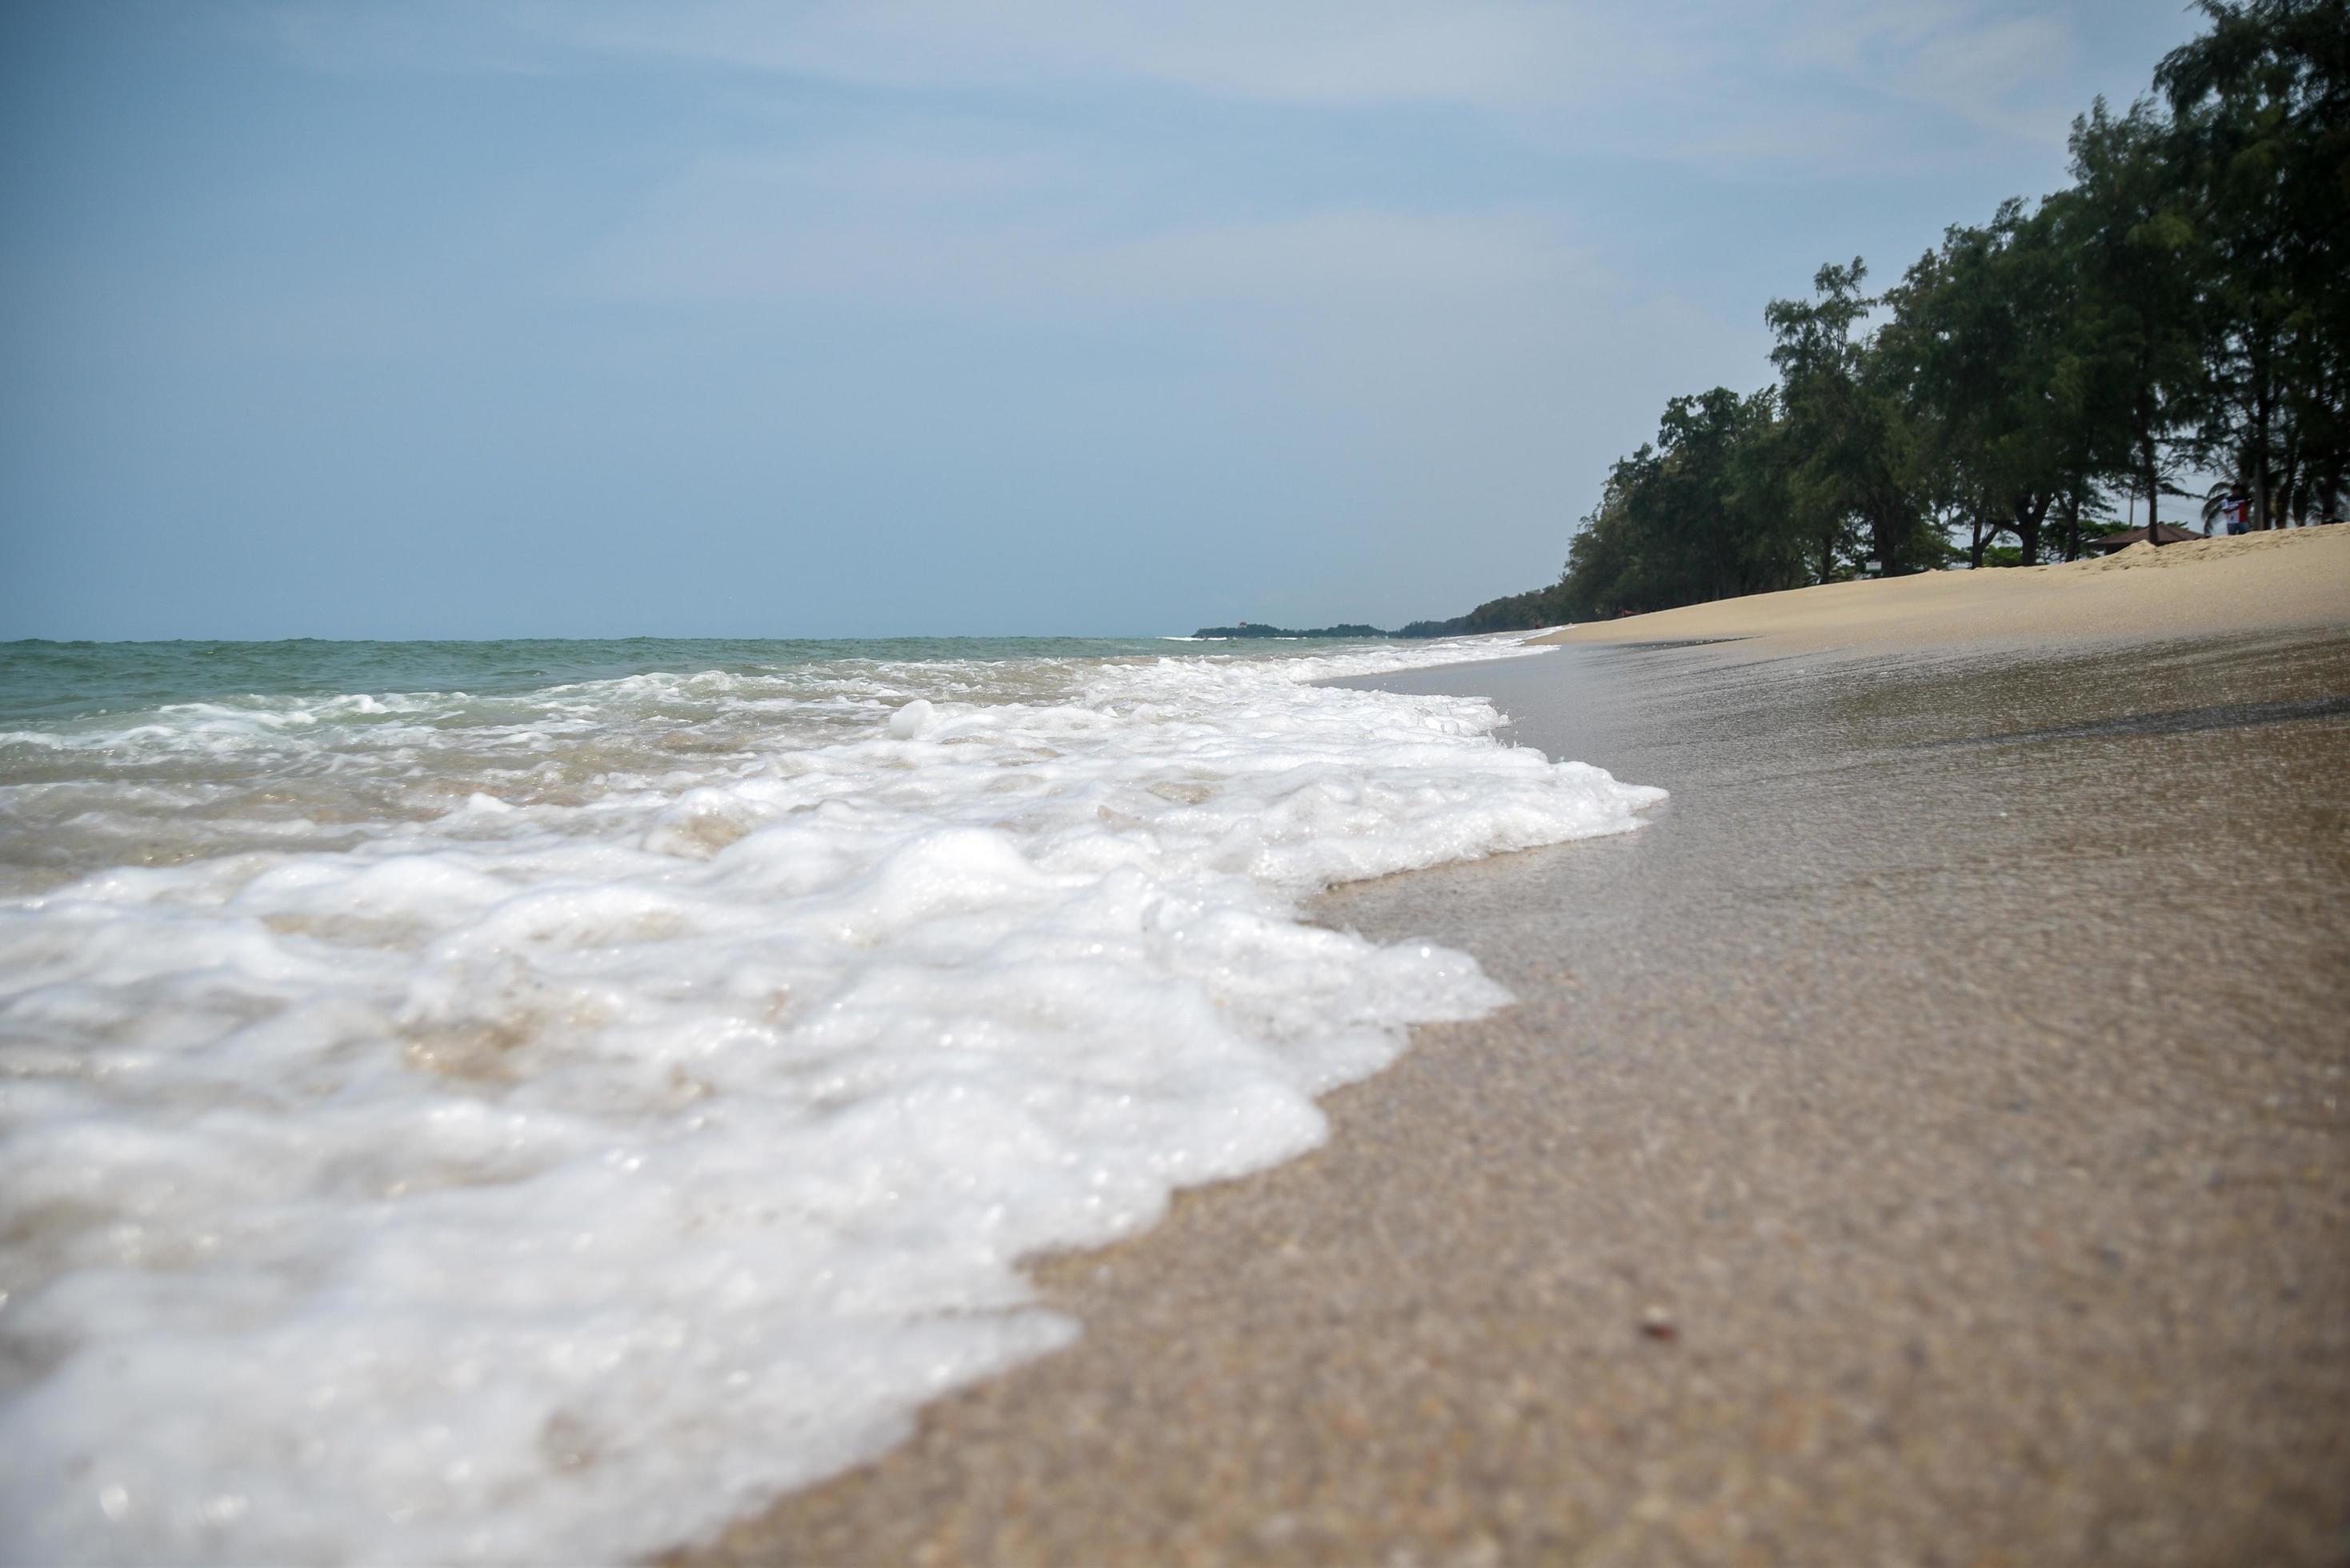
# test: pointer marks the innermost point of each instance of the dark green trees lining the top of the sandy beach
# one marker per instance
(2182, 307)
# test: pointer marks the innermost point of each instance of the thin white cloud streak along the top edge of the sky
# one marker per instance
(1820, 86)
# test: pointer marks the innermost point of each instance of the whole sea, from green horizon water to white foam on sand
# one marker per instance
(542, 1101)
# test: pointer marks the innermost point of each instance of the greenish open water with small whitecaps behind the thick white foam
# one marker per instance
(161, 753)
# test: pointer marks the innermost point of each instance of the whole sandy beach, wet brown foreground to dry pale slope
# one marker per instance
(1921, 1144)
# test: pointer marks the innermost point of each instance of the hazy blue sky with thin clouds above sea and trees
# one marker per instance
(925, 316)
